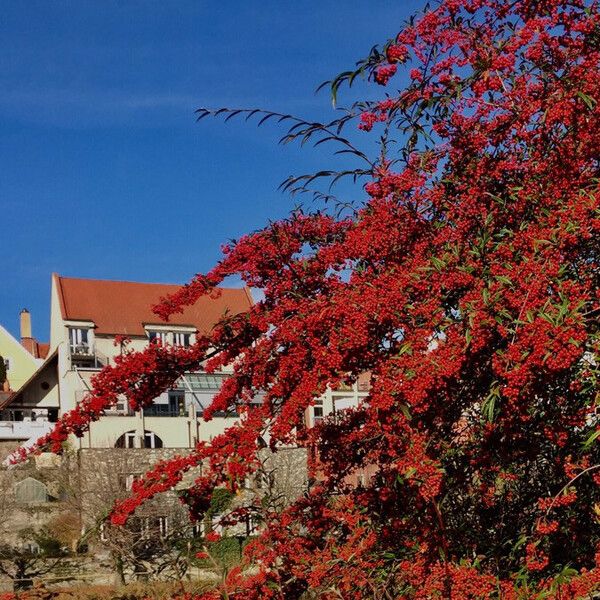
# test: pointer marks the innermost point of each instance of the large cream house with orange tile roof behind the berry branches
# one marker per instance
(87, 317)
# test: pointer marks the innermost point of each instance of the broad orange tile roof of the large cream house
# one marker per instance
(124, 307)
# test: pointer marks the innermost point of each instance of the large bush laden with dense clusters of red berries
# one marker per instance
(466, 284)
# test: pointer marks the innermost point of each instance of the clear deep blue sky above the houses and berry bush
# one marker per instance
(104, 172)
